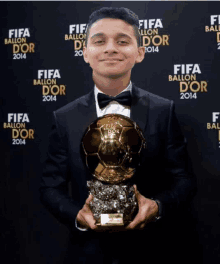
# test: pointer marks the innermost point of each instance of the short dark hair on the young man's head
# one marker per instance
(122, 13)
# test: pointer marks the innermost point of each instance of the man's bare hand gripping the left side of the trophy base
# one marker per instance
(85, 217)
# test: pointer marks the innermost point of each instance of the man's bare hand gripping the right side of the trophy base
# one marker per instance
(147, 211)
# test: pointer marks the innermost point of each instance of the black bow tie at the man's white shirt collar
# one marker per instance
(123, 99)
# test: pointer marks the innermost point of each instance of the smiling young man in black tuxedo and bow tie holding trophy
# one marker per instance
(162, 181)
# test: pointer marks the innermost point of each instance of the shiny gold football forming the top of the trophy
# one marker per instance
(111, 146)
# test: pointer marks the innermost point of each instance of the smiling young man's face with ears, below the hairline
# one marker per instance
(112, 48)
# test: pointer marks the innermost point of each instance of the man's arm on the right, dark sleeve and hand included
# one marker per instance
(183, 186)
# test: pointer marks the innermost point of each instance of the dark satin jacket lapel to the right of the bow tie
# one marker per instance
(140, 107)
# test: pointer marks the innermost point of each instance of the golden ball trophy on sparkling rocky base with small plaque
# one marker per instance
(112, 145)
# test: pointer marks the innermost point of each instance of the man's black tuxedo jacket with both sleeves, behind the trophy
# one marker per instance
(163, 172)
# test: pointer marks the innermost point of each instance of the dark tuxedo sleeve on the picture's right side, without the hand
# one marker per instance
(178, 168)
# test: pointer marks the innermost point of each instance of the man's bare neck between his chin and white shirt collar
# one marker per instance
(111, 86)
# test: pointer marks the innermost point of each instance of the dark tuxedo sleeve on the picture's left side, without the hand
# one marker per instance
(54, 182)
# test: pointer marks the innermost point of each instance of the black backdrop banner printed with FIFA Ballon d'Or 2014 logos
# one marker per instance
(42, 69)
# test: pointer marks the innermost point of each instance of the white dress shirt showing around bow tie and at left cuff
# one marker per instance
(112, 108)
